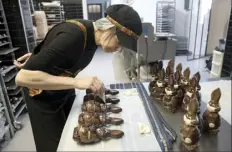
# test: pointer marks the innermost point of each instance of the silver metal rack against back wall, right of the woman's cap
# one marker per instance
(165, 17)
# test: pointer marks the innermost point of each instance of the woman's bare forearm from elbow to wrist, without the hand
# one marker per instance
(44, 81)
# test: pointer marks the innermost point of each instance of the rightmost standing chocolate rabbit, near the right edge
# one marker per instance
(211, 117)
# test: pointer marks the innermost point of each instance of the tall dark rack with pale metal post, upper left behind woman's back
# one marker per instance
(19, 20)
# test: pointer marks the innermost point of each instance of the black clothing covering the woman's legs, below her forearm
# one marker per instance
(48, 120)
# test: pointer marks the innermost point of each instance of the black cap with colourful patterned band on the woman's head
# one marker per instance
(128, 23)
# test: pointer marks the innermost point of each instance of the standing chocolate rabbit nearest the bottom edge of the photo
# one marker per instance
(189, 131)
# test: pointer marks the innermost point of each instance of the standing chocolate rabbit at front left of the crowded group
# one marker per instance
(169, 100)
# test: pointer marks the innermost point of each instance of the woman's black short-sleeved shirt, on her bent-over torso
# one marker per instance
(63, 48)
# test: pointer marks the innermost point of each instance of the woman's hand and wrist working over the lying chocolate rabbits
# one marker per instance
(92, 83)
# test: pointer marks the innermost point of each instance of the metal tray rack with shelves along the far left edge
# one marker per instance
(11, 96)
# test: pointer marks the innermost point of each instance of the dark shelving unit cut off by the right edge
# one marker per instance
(227, 62)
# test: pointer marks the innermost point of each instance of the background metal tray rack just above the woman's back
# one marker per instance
(54, 14)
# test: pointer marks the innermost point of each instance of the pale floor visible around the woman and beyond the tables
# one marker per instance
(109, 68)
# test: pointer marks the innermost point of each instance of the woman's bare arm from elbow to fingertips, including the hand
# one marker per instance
(44, 81)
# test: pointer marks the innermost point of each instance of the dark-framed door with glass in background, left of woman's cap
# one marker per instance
(94, 11)
